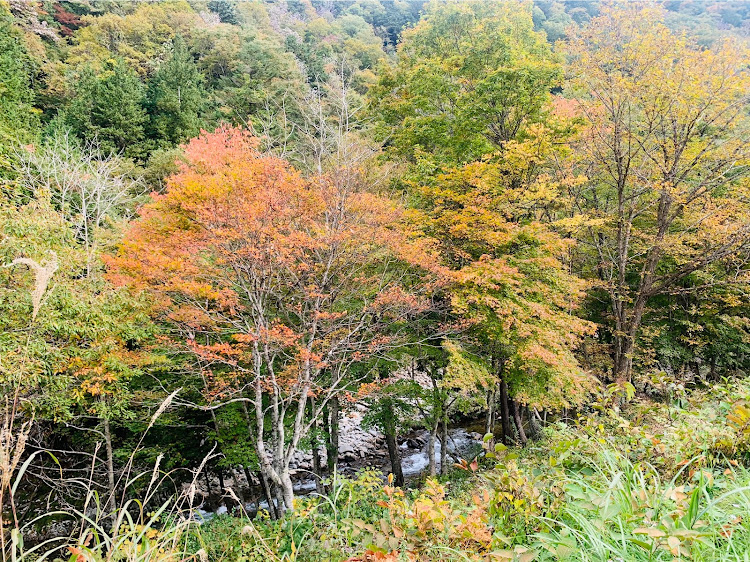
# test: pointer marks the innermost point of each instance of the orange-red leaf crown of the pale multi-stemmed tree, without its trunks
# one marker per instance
(232, 216)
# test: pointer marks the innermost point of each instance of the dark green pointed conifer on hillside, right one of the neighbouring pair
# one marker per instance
(176, 97)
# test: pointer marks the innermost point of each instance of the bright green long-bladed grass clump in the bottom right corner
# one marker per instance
(625, 511)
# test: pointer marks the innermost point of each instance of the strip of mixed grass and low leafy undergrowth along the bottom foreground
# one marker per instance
(649, 482)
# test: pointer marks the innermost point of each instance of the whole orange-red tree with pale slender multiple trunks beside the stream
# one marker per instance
(275, 284)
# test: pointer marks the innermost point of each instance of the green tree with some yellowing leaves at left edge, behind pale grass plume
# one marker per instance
(70, 344)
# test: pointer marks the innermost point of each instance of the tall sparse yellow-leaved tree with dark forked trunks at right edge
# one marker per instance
(666, 150)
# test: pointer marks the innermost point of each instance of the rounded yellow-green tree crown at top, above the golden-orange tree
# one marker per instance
(470, 76)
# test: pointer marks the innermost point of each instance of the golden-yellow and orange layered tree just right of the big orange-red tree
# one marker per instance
(509, 276)
